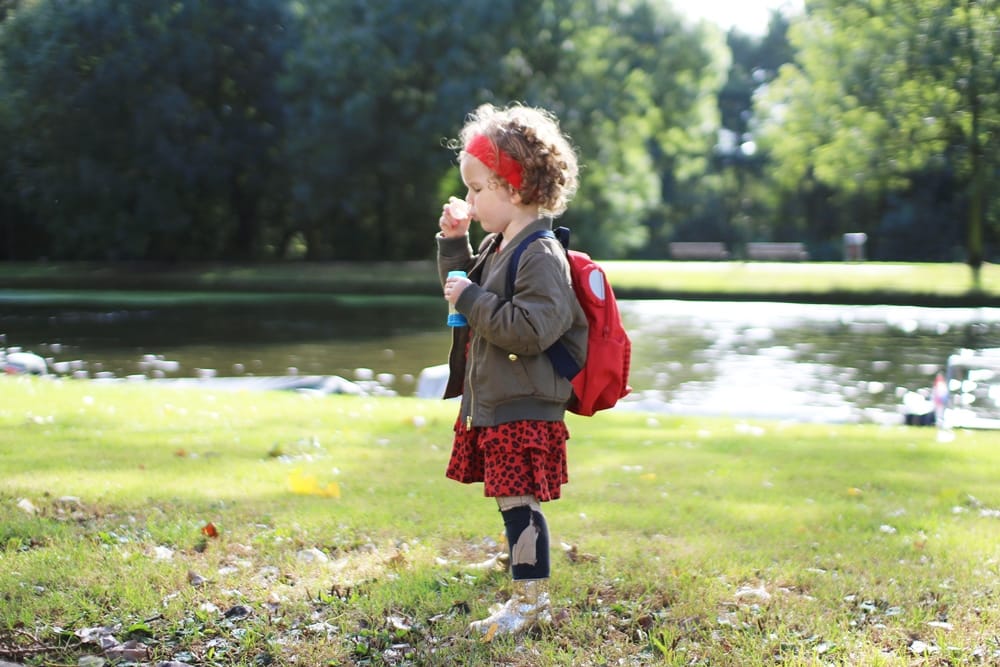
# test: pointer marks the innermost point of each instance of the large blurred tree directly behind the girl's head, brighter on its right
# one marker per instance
(378, 87)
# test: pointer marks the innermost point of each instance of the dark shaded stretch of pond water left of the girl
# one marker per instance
(392, 336)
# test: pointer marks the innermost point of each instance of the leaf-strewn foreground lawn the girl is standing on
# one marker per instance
(697, 541)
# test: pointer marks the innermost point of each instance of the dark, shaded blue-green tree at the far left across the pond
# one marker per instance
(146, 130)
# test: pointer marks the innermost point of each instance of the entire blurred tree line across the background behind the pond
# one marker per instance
(262, 129)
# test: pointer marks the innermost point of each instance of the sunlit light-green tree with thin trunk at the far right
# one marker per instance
(883, 90)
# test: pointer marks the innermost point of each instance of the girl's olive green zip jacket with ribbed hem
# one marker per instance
(498, 363)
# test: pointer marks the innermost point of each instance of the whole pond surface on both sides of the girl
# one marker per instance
(804, 362)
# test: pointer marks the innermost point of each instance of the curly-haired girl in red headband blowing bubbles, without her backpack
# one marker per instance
(521, 172)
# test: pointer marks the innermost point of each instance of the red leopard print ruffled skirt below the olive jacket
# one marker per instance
(514, 459)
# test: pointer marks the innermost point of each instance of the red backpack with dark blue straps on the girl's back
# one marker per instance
(603, 378)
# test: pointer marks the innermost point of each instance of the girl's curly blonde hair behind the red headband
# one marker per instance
(533, 138)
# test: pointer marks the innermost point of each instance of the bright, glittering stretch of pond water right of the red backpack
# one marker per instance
(811, 362)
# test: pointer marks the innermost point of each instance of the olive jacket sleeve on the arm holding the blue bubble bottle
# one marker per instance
(540, 310)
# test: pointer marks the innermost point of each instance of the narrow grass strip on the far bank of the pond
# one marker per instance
(888, 282)
